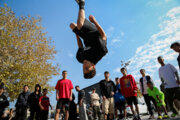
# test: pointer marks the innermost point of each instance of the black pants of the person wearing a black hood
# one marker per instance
(36, 113)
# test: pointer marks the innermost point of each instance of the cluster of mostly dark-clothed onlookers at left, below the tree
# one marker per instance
(38, 104)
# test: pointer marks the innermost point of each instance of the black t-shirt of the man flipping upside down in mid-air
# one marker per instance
(93, 52)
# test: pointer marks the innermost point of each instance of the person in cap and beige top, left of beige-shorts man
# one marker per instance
(95, 104)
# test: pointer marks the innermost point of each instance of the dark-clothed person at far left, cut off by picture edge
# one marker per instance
(3, 102)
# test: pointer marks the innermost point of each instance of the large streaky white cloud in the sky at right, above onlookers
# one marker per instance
(158, 45)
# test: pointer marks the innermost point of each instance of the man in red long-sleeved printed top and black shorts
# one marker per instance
(129, 90)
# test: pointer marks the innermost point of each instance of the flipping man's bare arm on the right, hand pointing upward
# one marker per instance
(101, 31)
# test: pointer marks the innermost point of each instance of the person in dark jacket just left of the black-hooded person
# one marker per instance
(22, 104)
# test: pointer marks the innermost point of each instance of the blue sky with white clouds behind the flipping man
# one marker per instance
(137, 30)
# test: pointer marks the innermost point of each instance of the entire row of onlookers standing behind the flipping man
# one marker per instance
(114, 96)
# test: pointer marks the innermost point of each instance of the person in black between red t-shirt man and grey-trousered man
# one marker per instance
(73, 109)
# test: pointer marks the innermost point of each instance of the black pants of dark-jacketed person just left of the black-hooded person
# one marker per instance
(21, 114)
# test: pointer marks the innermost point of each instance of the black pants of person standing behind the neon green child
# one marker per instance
(148, 100)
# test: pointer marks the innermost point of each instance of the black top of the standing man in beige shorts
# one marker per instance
(106, 88)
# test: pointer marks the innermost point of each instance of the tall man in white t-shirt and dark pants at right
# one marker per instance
(169, 75)
